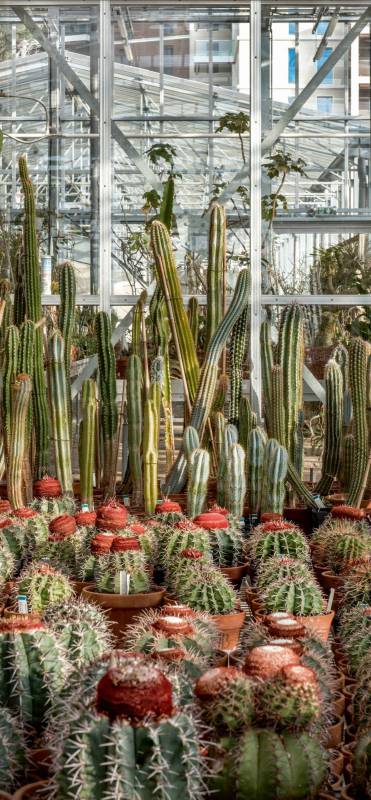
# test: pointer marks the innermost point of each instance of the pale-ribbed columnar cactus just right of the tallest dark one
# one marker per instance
(59, 412)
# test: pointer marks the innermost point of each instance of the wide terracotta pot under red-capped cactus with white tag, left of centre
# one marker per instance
(123, 608)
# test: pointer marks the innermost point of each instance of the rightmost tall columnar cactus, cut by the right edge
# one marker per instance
(358, 354)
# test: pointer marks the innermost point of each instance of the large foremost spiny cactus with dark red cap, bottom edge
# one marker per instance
(134, 714)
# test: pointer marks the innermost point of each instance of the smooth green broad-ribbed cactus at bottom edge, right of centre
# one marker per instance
(264, 765)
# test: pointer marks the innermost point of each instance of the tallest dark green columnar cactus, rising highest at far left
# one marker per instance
(34, 313)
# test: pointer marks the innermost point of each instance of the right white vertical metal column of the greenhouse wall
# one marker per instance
(255, 211)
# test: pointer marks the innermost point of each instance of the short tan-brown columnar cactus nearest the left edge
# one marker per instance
(21, 396)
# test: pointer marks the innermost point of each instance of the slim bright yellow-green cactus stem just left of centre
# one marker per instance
(150, 457)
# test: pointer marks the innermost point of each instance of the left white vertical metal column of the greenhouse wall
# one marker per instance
(105, 162)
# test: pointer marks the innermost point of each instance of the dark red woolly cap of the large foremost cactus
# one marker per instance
(127, 692)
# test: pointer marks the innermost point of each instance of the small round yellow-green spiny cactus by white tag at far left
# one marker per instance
(43, 587)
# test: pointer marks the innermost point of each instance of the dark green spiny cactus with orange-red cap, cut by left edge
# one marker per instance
(29, 684)
